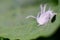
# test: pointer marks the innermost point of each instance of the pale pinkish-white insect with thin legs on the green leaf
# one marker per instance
(44, 16)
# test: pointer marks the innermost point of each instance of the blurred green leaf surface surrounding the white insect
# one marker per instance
(13, 24)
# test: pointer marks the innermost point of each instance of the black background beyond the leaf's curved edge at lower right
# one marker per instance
(55, 36)
